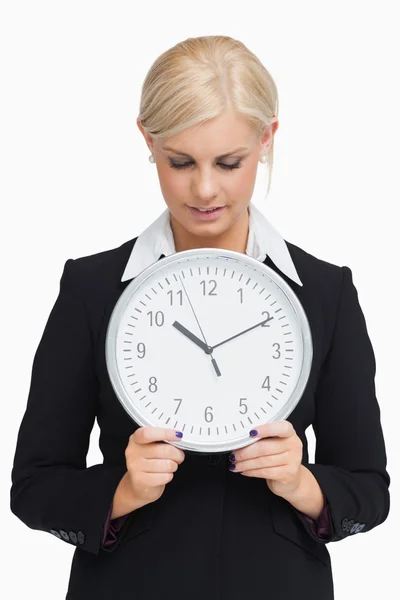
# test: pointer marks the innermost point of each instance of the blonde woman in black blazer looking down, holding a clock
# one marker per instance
(150, 521)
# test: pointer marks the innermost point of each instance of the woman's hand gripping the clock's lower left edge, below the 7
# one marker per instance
(151, 462)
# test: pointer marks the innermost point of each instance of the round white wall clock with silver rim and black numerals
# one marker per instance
(210, 342)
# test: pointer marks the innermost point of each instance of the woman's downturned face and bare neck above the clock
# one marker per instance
(200, 177)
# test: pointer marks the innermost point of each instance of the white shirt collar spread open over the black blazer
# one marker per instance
(263, 240)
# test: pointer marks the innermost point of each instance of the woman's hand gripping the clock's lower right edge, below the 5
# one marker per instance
(276, 457)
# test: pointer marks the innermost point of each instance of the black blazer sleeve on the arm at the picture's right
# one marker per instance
(350, 454)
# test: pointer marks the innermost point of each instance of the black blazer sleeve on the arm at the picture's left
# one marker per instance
(52, 488)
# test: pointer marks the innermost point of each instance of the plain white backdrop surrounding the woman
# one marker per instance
(76, 180)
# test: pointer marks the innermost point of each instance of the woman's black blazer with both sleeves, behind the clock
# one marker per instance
(213, 534)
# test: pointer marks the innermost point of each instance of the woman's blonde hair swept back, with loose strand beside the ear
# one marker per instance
(198, 79)
